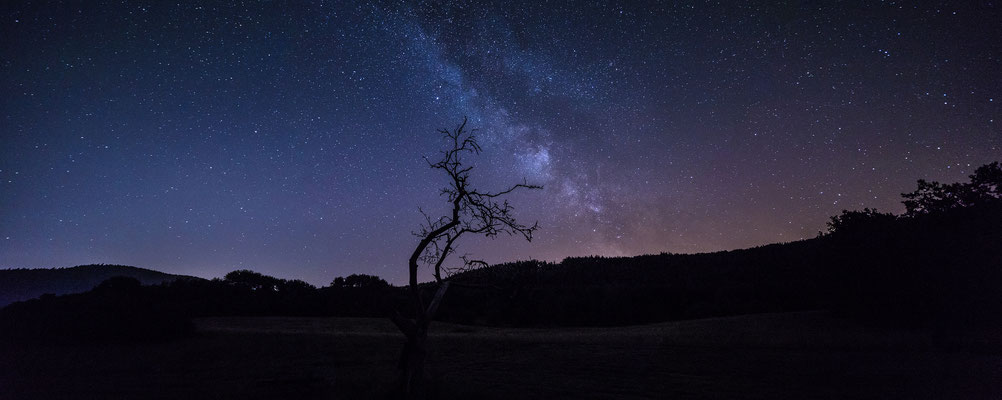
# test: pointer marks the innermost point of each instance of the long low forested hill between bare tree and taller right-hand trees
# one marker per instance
(625, 291)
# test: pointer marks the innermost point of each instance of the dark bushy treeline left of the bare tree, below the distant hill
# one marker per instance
(122, 309)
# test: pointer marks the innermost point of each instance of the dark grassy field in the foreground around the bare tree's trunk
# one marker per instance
(794, 356)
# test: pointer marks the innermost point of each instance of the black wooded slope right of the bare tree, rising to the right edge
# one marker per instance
(938, 264)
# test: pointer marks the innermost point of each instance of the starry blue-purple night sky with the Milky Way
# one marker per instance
(287, 137)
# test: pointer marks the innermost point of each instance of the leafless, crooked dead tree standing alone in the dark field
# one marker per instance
(473, 212)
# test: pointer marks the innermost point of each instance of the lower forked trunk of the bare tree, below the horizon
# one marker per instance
(413, 382)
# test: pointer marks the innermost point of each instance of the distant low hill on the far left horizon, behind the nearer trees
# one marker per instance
(24, 284)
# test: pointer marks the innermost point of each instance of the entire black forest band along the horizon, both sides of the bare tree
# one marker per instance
(937, 265)
